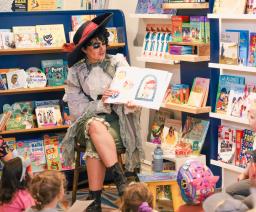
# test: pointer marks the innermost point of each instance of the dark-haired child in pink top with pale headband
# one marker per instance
(14, 196)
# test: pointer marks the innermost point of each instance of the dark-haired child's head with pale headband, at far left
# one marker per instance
(13, 179)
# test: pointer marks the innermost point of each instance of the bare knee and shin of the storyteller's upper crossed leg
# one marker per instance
(103, 142)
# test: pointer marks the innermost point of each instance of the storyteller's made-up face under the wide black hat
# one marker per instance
(95, 51)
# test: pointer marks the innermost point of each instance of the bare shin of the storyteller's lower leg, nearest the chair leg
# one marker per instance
(96, 173)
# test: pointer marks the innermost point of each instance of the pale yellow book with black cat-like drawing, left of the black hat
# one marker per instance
(51, 35)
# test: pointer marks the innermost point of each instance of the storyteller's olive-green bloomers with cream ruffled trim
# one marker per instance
(111, 121)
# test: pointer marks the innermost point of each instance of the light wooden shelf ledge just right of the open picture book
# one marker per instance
(187, 108)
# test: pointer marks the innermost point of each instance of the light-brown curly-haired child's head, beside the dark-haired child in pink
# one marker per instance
(47, 187)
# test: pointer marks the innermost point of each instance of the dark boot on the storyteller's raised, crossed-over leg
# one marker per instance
(119, 177)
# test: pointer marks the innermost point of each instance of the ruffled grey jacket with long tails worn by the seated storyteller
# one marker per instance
(83, 108)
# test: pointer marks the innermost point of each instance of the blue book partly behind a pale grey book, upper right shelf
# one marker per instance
(243, 46)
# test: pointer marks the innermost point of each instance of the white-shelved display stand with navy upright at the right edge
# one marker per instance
(219, 23)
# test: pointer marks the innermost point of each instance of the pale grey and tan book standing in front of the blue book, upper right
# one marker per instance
(229, 46)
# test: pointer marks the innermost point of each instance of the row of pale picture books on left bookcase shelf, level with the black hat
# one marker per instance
(51, 35)
